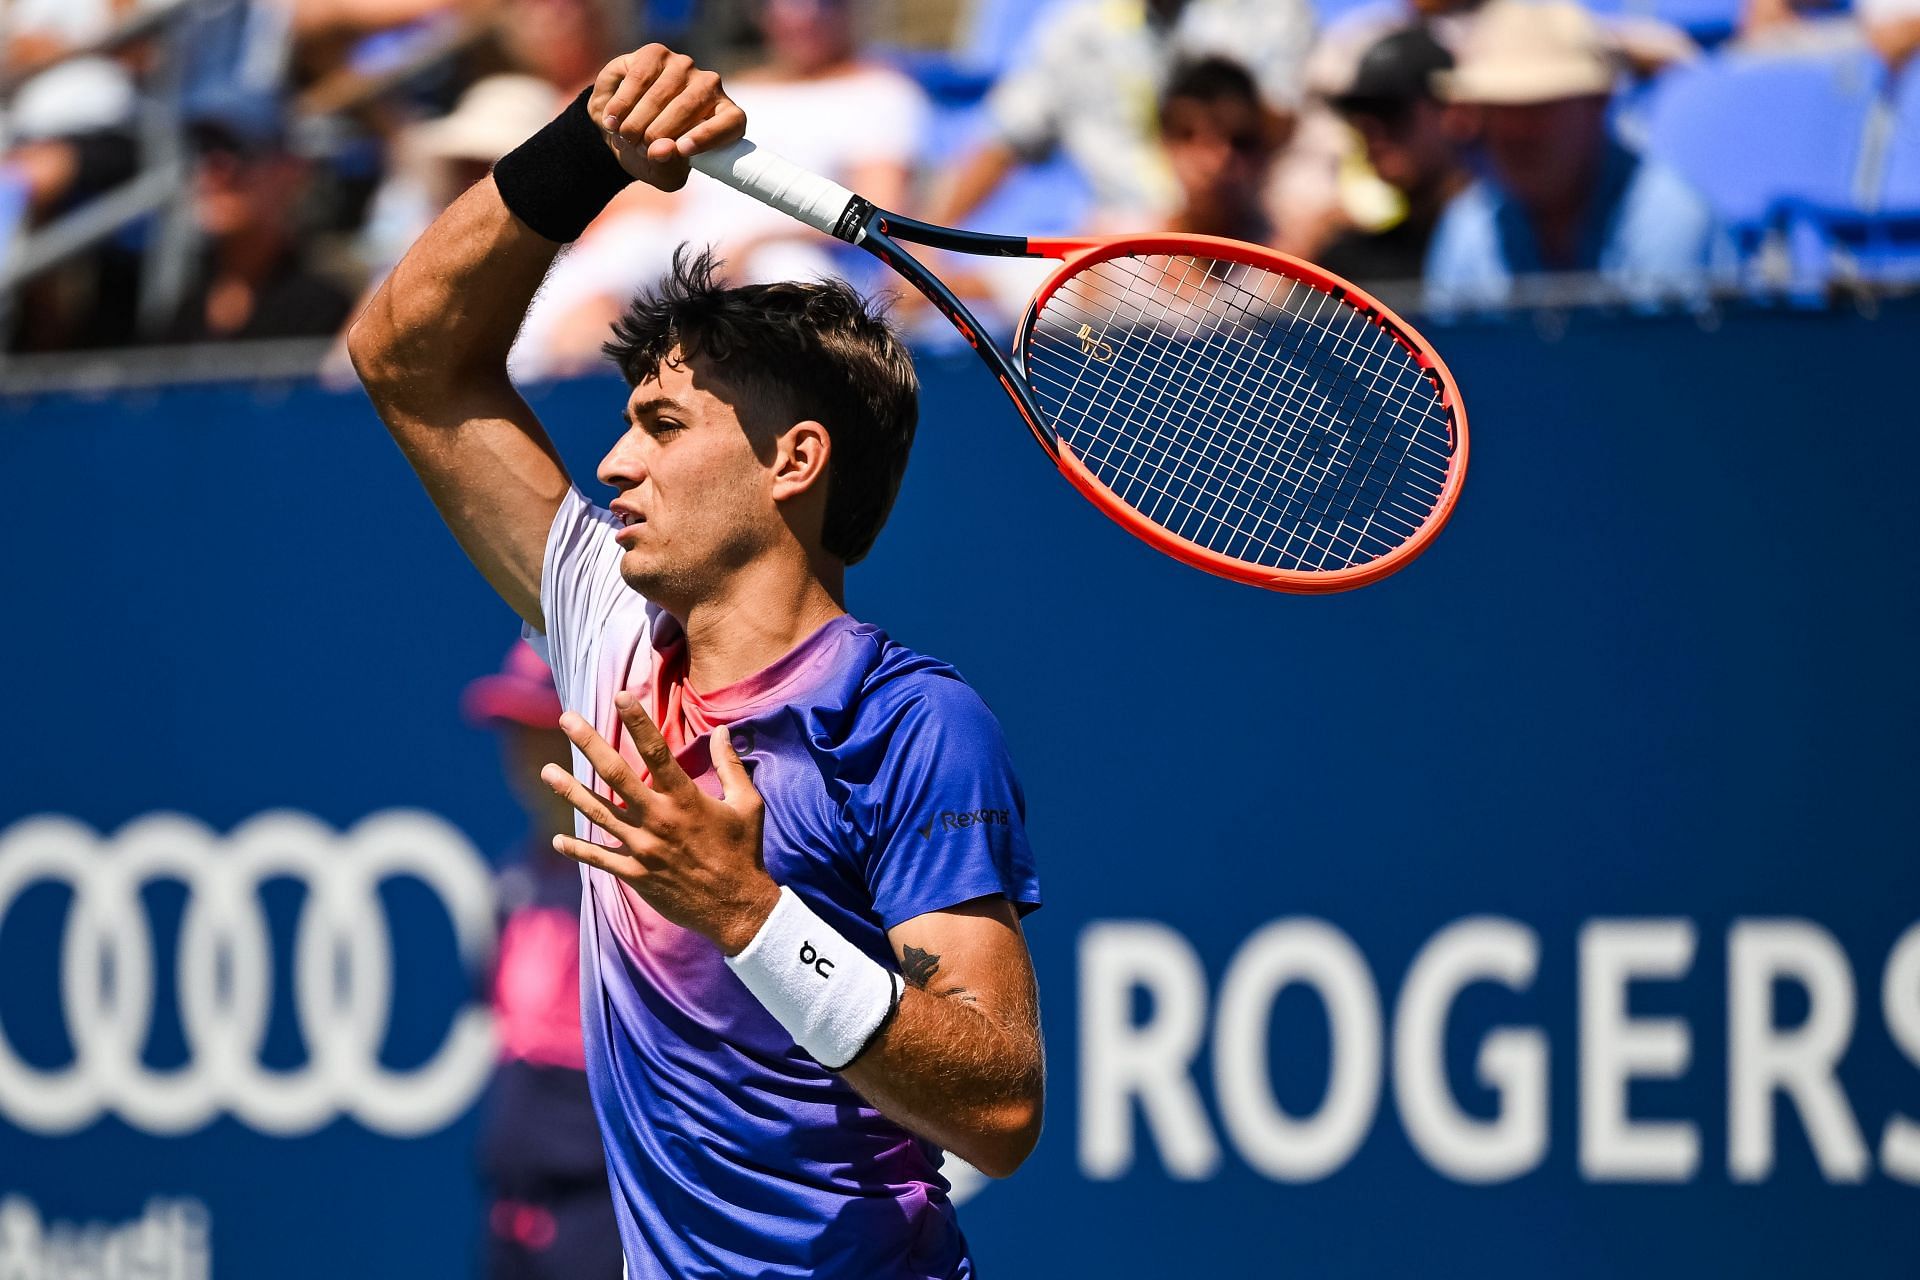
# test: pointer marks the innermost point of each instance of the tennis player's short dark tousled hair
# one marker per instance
(804, 350)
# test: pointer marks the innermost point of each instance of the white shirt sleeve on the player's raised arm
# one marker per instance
(581, 588)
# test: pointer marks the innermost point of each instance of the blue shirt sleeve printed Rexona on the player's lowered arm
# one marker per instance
(946, 817)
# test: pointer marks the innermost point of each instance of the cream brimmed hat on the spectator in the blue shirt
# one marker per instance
(1531, 51)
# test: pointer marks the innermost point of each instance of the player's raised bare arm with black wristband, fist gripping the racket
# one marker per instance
(433, 343)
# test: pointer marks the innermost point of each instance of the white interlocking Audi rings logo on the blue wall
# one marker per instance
(343, 974)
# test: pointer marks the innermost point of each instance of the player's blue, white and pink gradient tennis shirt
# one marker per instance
(888, 795)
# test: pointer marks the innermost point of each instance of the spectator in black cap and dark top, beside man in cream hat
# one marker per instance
(1395, 110)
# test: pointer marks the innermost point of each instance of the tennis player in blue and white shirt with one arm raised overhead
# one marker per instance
(804, 970)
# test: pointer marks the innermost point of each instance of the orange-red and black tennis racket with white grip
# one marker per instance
(1234, 408)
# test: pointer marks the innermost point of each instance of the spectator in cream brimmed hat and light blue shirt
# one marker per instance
(1562, 193)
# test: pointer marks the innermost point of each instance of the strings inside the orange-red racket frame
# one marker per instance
(1243, 410)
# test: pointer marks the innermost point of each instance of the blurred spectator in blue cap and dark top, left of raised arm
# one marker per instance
(252, 281)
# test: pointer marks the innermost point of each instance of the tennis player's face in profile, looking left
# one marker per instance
(694, 488)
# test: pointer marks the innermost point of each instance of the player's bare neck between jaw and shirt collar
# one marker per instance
(763, 615)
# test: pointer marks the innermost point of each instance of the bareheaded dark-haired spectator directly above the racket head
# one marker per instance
(1220, 145)
